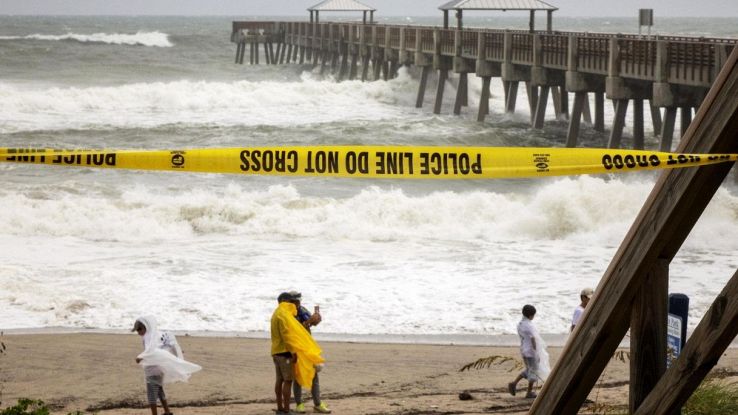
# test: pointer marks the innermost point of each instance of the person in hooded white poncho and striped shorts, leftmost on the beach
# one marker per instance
(162, 361)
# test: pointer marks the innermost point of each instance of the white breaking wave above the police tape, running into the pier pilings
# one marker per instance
(146, 105)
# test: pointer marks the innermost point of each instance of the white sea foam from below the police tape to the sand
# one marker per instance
(378, 261)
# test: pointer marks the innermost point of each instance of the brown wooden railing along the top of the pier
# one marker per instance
(692, 61)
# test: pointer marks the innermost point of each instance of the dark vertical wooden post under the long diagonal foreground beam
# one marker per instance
(648, 332)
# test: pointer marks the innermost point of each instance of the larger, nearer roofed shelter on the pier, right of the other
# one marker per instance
(503, 5)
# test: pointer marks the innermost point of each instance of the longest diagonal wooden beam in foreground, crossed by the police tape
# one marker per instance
(668, 215)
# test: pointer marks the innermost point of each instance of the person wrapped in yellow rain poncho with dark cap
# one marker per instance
(294, 352)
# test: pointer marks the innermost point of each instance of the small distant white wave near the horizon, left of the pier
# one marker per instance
(152, 39)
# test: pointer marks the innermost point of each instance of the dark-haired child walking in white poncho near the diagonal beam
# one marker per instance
(533, 351)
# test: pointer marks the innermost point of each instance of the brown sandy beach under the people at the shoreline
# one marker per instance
(96, 373)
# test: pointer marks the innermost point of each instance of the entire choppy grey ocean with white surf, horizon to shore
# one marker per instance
(96, 248)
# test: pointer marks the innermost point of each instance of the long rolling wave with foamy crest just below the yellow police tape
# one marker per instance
(583, 208)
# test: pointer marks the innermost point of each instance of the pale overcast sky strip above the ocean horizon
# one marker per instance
(707, 8)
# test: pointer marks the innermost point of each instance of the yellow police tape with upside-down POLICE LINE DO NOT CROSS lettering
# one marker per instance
(373, 161)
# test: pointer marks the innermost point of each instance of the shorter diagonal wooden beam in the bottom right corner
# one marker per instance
(709, 340)
